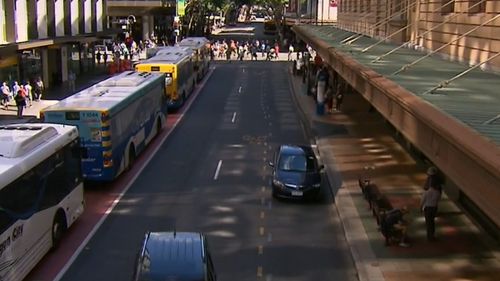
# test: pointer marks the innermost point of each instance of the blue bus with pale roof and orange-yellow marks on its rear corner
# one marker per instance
(117, 118)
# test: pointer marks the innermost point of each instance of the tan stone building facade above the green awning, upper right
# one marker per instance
(466, 31)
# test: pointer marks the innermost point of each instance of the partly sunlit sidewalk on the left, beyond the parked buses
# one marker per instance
(50, 96)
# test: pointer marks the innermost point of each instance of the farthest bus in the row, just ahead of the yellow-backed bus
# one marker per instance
(201, 48)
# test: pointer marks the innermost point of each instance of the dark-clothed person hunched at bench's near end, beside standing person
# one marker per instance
(393, 225)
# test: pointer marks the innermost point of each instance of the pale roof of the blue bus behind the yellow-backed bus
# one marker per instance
(107, 94)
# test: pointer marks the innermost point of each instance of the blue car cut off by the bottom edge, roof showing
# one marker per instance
(180, 256)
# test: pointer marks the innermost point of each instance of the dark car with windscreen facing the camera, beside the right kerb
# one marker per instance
(296, 173)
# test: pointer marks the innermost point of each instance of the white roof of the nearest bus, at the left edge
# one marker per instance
(23, 146)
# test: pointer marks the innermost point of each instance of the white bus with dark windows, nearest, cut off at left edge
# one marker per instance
(41, 192)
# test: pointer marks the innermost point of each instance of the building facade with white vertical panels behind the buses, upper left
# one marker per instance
(49, 38)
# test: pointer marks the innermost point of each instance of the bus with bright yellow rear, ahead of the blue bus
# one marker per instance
(180, 75)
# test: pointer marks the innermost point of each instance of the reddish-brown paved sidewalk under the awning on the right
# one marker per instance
(350, 140)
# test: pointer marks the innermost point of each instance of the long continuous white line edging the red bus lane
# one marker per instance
(85, 241)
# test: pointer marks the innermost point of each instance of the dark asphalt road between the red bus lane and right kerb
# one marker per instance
(241, 115)
